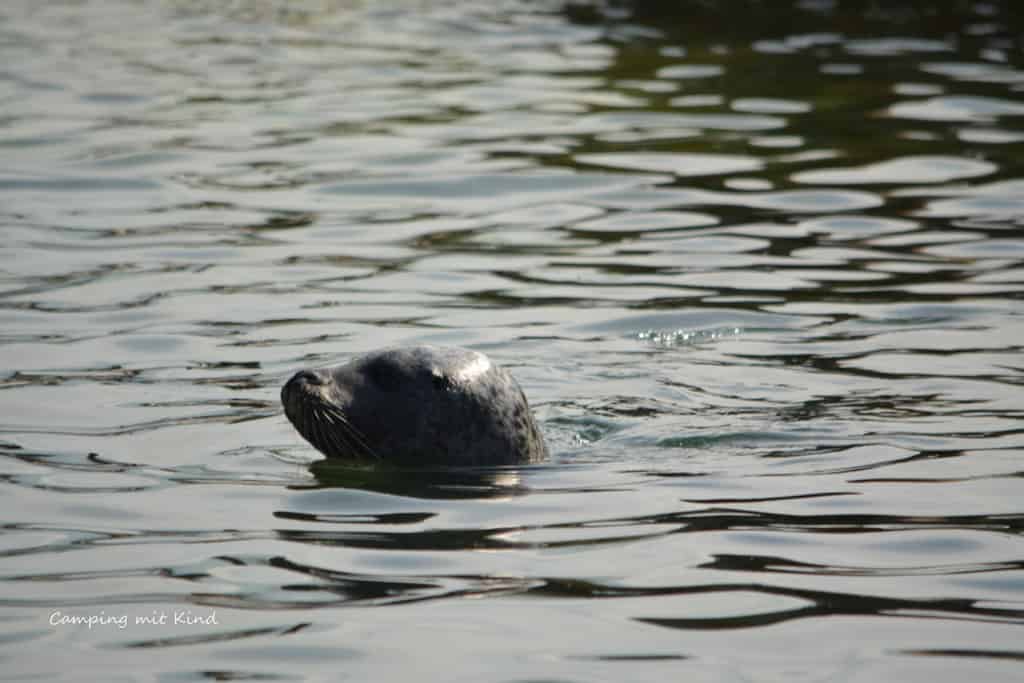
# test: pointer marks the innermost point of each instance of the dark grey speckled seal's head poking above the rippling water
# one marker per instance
(422, 406)
